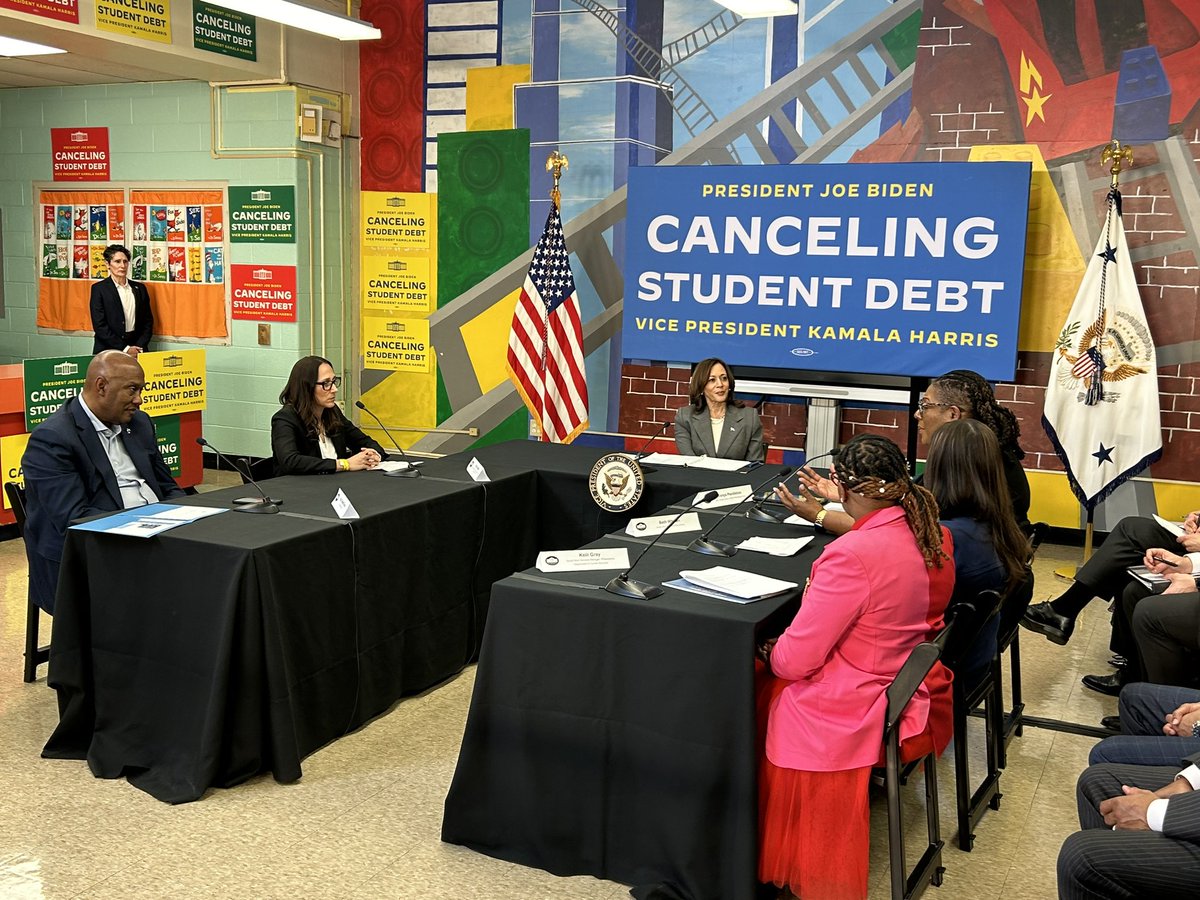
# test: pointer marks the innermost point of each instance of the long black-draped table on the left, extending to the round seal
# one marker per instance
(242, 644)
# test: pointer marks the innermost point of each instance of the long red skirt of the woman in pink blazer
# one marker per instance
(814, 827)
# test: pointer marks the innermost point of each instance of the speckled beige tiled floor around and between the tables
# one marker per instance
(365, 820)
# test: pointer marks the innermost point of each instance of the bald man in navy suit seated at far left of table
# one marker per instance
(97, 454)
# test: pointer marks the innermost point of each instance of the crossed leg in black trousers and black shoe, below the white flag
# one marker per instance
(1103, 575)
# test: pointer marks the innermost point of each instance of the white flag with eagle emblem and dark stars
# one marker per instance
(1102, 409)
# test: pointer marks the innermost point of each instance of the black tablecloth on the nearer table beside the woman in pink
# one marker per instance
(616, 737)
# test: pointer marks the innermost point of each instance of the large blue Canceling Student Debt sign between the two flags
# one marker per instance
(907, 269)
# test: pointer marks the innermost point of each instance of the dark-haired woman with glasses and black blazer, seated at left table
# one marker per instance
(310, 435)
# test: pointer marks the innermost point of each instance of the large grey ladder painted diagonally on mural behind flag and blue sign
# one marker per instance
(586, 233)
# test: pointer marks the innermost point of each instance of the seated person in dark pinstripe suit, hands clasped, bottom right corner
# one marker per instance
(1142, 835)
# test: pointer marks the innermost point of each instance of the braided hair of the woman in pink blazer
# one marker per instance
(874, 469)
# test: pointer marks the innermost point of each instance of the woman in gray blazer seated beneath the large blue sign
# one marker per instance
(716, 423)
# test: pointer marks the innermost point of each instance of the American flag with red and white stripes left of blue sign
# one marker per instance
(547, 343)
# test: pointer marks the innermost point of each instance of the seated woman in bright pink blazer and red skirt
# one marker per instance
(874, 595)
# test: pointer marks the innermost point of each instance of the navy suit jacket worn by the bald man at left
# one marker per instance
(68, 477)
